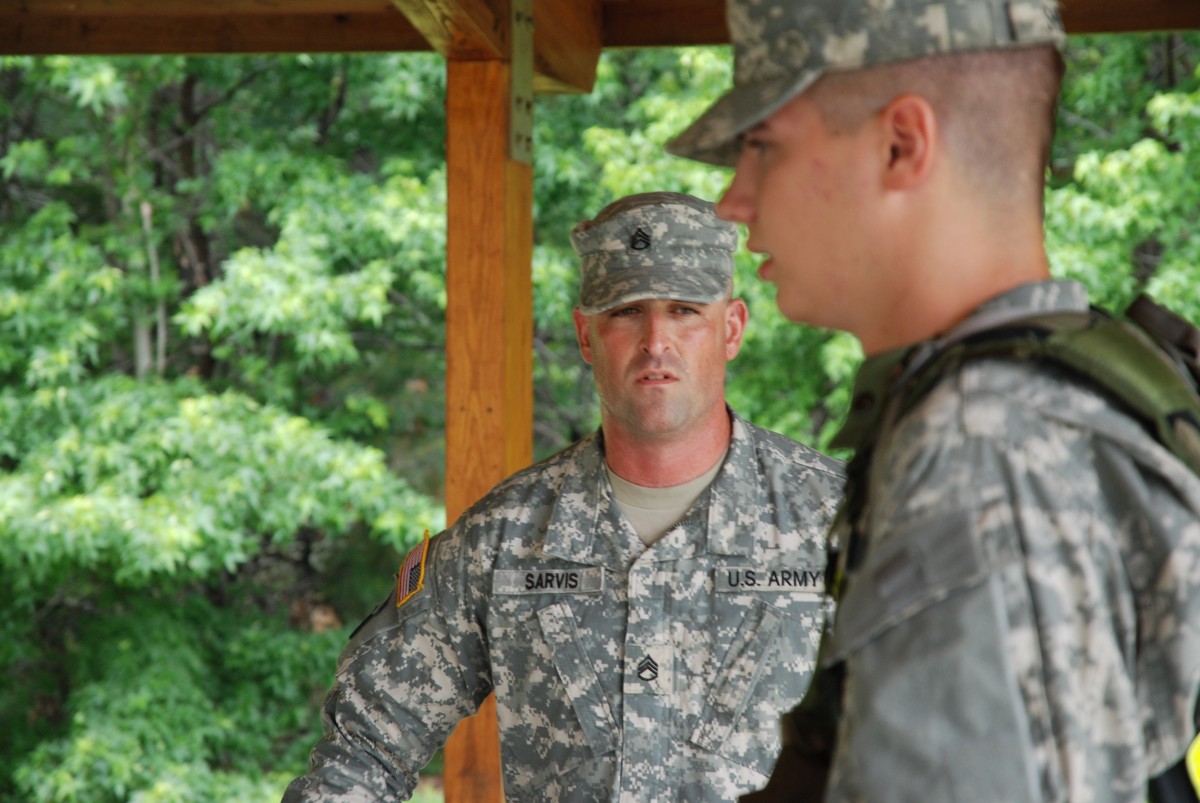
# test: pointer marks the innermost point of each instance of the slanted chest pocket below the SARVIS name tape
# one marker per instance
(579, 678)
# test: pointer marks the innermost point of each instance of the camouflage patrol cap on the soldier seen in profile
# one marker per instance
(782, 47)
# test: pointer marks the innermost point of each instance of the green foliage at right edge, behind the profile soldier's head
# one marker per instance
(1127, 171)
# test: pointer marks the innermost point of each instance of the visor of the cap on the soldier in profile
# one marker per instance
(715, 136)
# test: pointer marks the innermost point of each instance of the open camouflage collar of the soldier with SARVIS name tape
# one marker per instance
(729, 510)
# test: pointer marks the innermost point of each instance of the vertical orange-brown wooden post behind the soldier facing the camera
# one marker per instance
(489, 343)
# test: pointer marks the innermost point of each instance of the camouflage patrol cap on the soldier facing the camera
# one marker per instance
(655, 245)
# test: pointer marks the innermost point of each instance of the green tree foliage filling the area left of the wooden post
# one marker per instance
(211, 308)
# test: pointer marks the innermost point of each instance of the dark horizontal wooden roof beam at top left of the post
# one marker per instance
(25, 34)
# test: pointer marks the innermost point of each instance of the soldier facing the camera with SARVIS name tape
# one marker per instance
(645, 603)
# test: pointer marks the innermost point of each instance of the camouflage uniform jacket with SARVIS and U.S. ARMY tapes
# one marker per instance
(621, 673)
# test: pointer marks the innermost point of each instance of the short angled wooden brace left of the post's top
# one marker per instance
(461, 29)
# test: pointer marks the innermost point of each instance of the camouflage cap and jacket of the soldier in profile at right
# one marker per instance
(1021, 609)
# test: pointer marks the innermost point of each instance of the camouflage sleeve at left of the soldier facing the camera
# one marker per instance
(407, 678)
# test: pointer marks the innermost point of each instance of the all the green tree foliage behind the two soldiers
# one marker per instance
(221, 363)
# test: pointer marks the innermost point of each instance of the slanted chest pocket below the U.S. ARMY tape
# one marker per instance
(725, 726)
